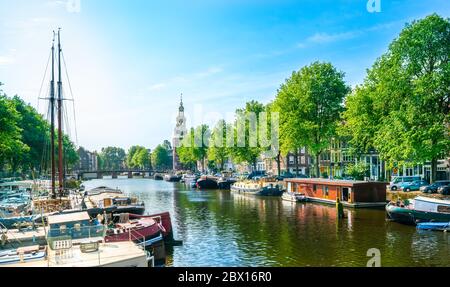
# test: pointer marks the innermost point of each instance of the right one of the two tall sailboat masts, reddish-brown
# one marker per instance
(60, 139)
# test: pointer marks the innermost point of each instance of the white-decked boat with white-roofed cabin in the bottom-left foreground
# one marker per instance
(74, 241)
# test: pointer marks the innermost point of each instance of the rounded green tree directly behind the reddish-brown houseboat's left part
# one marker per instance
(310, 103)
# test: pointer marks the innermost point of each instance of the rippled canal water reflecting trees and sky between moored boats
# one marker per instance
(225, 229)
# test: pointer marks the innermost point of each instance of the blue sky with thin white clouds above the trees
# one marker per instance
(128, 61)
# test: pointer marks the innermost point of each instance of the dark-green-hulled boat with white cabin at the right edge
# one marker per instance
(418, 210)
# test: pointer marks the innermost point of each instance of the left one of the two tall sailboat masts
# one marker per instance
(52, 120)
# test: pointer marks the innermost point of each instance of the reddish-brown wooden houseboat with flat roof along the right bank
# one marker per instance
(351, 193)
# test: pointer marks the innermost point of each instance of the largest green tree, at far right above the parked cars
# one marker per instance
(402, 109)
